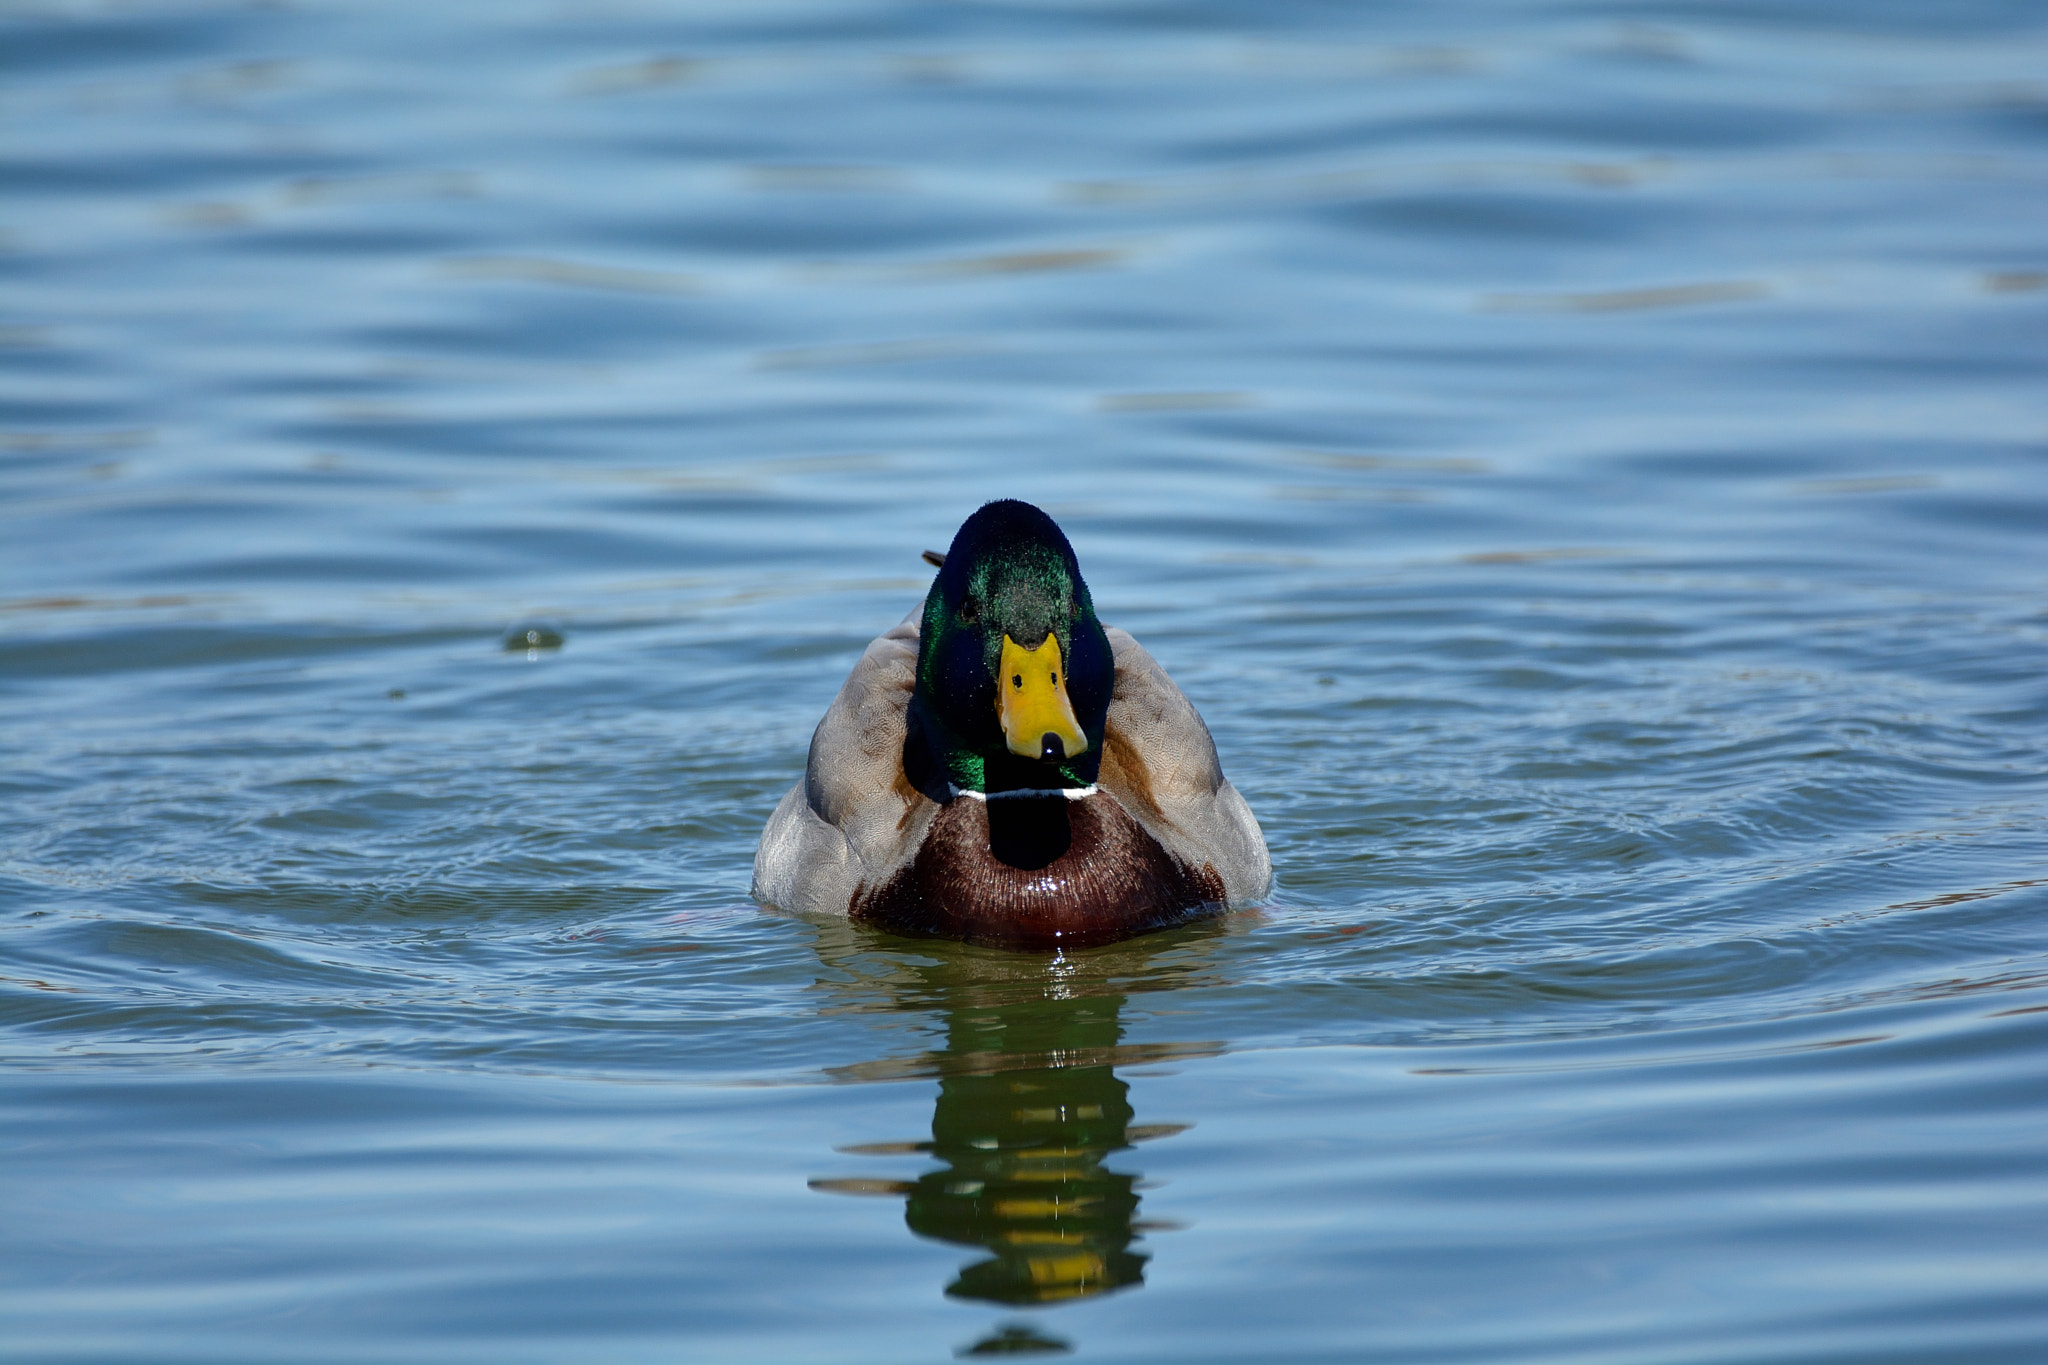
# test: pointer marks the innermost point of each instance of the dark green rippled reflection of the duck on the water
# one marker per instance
(1029, 1114)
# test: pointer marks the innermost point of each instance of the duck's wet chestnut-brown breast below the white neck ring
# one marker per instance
(1043, 873)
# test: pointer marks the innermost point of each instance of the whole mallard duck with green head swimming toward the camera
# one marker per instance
(1007, 770)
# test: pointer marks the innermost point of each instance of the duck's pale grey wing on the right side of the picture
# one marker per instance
(1160, 764)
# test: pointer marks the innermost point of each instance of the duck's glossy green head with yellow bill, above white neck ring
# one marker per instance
(1015, 672)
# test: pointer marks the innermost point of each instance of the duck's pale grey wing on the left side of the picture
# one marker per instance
(855, 818)
